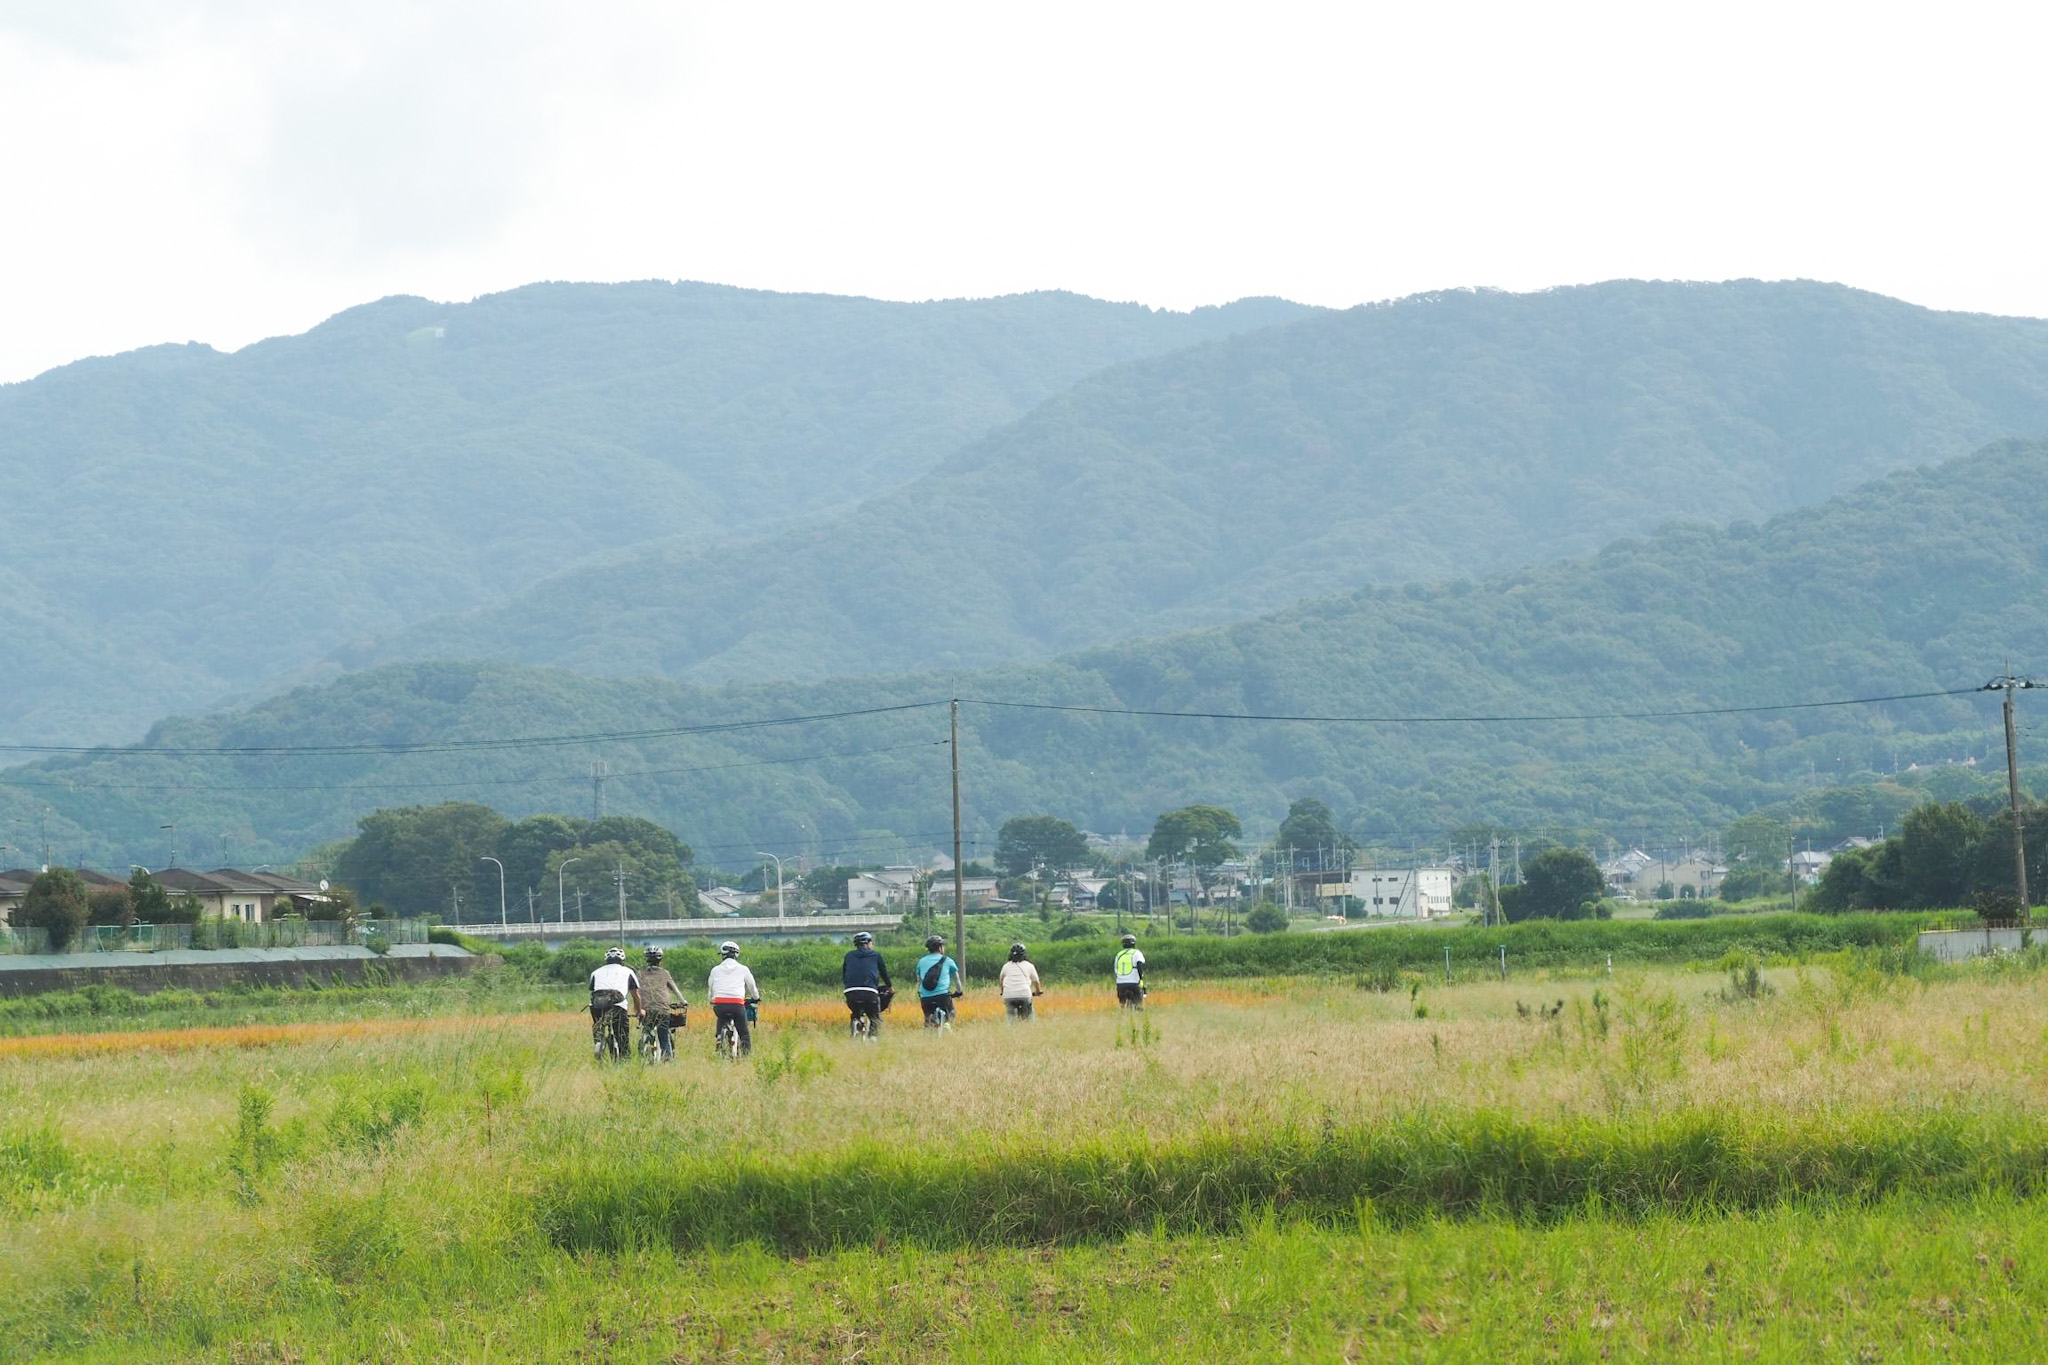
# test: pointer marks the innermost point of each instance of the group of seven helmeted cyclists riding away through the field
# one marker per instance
(620, 994)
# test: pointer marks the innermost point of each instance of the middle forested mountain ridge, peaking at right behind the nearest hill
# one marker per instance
(1441, 437)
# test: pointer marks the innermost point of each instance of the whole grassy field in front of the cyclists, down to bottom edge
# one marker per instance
(1818, 1161)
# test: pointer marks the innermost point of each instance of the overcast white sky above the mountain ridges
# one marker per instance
(226, 171)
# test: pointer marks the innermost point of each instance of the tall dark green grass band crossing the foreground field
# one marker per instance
(1412, 1168)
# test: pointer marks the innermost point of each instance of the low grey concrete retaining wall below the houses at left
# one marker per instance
(286, 969)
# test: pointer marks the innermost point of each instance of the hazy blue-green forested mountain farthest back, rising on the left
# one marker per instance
(187, 527)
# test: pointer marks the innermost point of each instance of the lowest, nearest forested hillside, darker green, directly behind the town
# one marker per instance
(1920, 582)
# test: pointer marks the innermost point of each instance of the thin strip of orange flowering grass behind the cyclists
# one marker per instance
(804, 1014)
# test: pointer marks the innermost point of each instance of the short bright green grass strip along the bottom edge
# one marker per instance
(1908, 1280)
